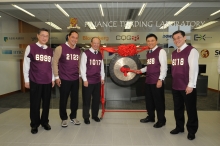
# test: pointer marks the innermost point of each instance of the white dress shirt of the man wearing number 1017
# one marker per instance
(83, 66)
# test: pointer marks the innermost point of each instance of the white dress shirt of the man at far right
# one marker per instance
(193, 65)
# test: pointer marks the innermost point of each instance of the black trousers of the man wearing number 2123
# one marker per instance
(69, 88)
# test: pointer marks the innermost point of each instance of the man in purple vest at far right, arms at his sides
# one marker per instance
(184, 74)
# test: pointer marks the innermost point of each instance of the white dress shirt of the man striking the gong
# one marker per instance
(163, 63)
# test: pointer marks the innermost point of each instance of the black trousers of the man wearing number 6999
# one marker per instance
(38, 92)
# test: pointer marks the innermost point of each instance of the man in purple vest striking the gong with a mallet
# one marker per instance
(156, 71)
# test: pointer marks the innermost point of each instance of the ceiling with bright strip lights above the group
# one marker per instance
(113, 11)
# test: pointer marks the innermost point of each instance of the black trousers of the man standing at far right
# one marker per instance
(180, 98)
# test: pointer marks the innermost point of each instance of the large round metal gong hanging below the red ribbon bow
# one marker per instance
(117, 76)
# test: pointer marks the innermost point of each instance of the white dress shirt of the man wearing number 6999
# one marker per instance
(26, 63)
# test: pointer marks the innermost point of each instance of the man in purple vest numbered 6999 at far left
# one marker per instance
(37, 69)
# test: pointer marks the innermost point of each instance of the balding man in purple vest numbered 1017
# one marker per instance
(92, 71)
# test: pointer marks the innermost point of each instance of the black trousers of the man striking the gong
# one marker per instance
(155, 100)
